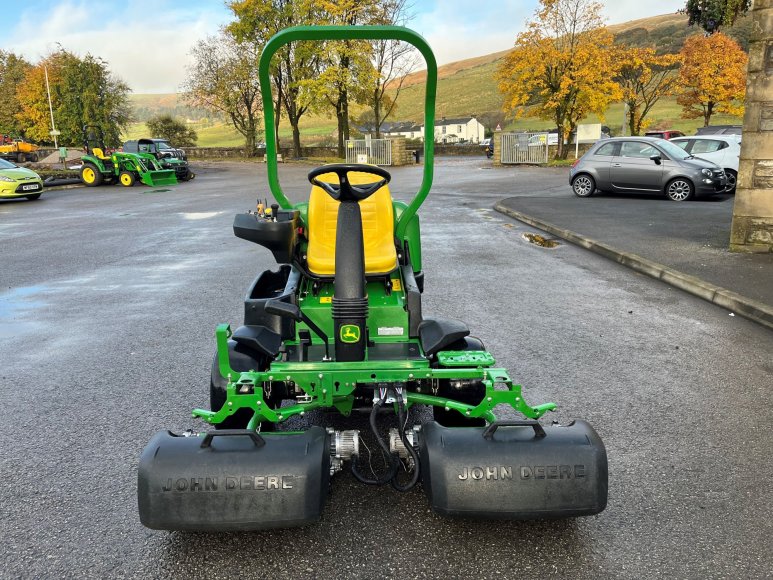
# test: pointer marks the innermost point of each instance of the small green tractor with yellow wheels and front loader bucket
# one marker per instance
(125, 168)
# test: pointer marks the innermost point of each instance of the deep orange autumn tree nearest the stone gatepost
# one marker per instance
(712, 77)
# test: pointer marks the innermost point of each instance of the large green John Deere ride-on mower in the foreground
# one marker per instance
(339, 326)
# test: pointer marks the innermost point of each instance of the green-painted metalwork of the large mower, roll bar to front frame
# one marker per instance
(333, 384)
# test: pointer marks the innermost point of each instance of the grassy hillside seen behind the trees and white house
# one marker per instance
(465, 87)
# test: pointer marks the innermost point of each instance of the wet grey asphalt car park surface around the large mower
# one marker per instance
(108, 304)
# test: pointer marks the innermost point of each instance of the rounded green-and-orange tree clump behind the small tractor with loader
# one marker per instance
(83, 92)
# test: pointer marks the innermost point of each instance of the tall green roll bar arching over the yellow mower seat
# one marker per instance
(352, 33)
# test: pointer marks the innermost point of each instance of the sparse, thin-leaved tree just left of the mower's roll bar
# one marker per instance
(224, 78)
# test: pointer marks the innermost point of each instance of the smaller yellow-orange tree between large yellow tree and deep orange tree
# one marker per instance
(644, 78)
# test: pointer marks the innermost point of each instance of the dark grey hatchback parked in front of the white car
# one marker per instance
(645, 164)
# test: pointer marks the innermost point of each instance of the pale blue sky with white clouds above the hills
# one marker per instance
(147, 42)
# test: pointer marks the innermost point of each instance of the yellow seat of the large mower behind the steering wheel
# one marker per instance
(377, 228)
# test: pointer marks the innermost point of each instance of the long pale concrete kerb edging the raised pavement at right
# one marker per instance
(752, 309)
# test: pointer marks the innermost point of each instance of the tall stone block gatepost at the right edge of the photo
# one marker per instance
(752, 229)
